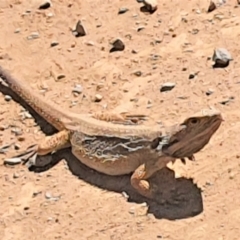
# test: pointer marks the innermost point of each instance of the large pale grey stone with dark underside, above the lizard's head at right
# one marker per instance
(221, 57)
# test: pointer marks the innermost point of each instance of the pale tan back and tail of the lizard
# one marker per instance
(63, 119)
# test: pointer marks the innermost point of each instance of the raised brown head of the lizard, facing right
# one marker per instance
(193, 134)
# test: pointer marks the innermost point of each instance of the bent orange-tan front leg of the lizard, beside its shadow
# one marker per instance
(145, 171)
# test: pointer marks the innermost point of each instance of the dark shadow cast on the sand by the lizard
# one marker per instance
(177, 198)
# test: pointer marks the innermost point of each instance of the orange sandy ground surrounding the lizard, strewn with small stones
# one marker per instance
(71, 201)
